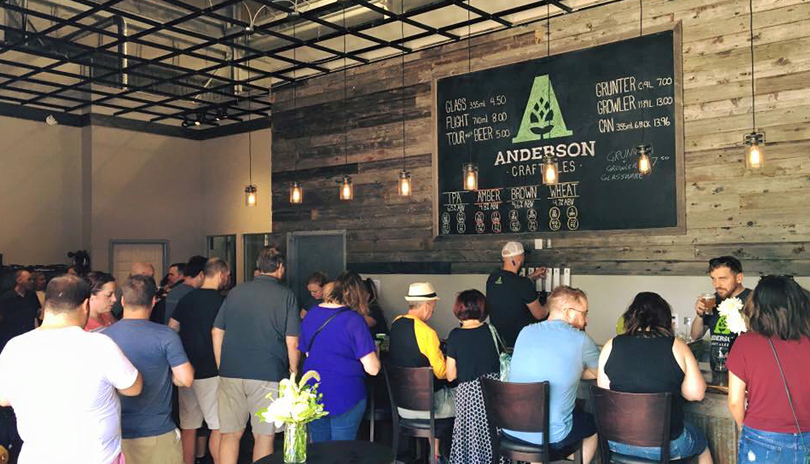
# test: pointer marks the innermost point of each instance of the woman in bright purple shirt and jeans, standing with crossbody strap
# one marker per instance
(342, 353)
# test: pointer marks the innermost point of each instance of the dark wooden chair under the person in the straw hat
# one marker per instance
(412, 388)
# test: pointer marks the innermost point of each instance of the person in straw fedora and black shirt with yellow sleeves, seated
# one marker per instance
(414, 344)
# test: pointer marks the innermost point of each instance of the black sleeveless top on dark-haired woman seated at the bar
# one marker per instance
(647, 365)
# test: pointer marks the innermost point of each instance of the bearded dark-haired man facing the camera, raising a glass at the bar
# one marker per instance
(726, 274)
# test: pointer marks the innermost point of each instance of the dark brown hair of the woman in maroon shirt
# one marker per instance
(779, 307)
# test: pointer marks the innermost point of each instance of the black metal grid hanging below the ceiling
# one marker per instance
(206, 63)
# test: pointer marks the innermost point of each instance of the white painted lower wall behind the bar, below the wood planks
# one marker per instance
(608, 296)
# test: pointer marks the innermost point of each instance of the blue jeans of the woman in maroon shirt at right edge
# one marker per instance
(773, 447)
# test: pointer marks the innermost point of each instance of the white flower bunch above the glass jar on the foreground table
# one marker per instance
(297, 402)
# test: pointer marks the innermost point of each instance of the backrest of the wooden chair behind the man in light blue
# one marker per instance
(517, 406)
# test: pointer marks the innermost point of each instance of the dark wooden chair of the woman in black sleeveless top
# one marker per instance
(640, 419)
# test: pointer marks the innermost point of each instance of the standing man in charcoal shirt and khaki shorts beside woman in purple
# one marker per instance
(255, 338)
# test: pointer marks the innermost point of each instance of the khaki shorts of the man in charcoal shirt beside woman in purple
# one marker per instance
(239, 399)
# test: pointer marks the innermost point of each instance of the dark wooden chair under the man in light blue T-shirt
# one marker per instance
(522, 407)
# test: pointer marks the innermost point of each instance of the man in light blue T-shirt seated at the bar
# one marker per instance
(559, 351)
